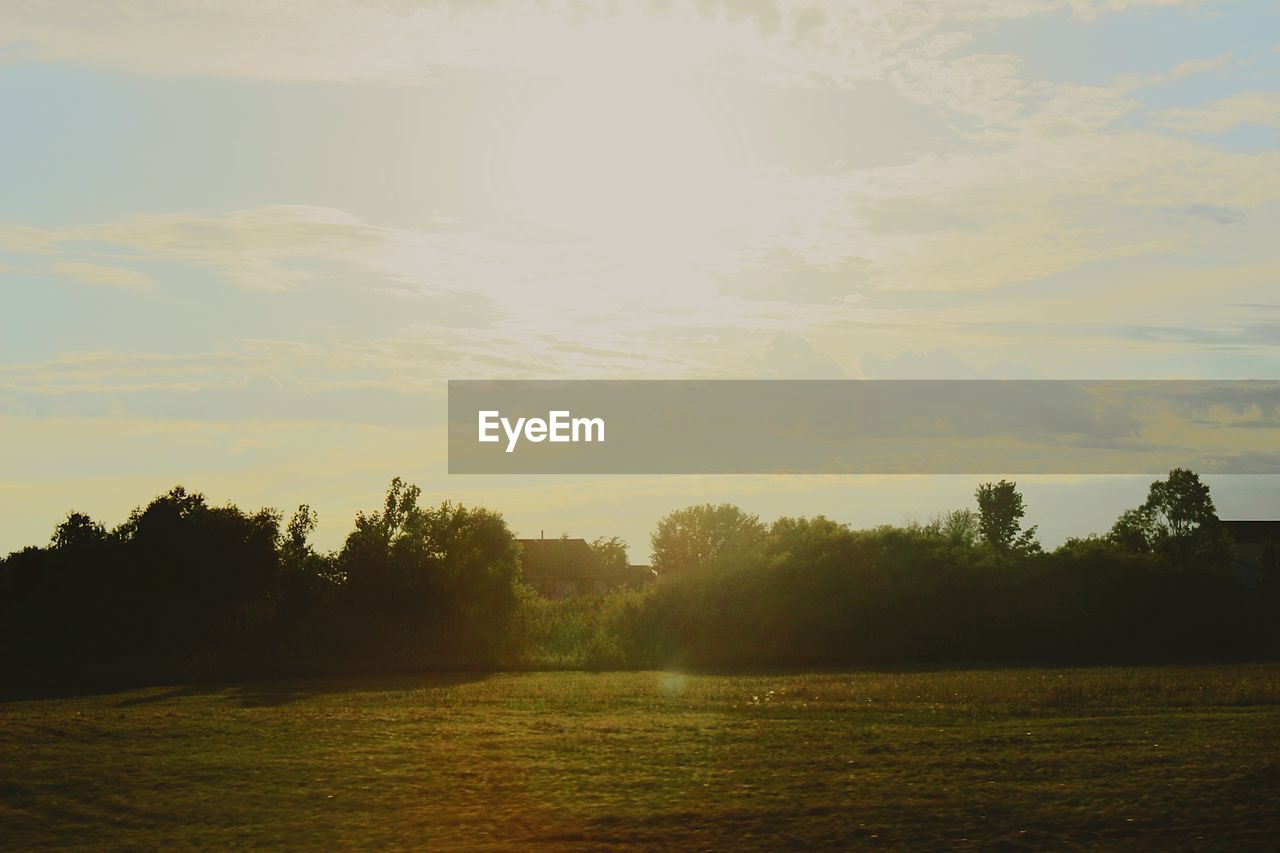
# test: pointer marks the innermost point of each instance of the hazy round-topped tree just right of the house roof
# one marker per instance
(693, 537)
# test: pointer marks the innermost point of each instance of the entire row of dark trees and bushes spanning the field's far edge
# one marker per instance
(185, 590)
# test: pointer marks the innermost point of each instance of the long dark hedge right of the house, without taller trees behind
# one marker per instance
(820, 595)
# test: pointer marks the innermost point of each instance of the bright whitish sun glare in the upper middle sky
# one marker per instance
(607, 154)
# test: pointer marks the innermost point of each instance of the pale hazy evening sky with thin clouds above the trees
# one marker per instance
(245, 244)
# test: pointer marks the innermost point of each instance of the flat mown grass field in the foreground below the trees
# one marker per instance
(1172, 758)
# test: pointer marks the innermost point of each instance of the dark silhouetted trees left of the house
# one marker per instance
(189, 591)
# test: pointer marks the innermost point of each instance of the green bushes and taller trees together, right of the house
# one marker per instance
(971, 586)
